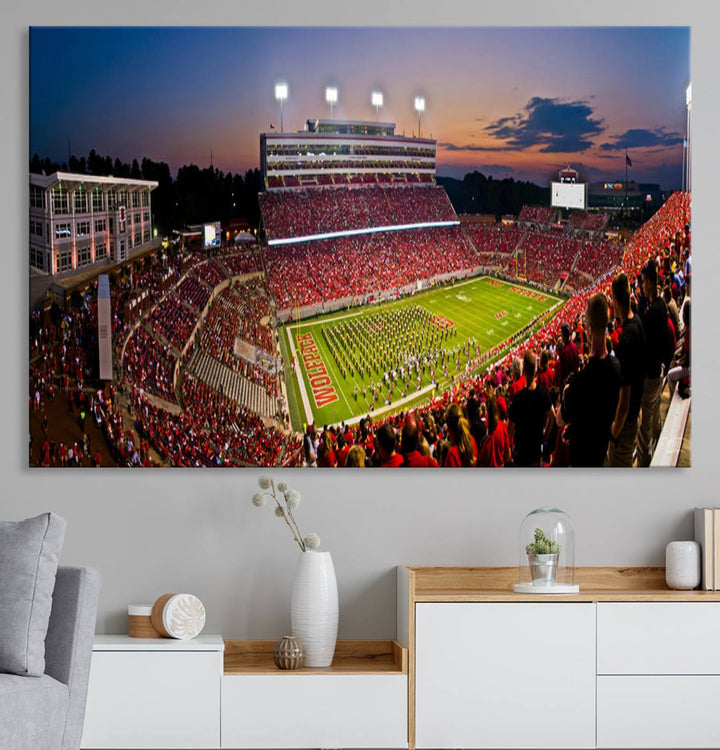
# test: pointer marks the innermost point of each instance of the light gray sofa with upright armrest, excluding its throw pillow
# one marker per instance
(47, 712)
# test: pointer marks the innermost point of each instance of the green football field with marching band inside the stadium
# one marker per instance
(384, 357)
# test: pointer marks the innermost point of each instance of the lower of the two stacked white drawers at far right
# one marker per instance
(660, 711)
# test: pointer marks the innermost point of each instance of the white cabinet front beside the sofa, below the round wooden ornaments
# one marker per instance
(153, 699)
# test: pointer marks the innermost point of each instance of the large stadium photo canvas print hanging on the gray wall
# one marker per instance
(370, 271)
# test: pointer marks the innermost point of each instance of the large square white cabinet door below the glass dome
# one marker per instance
(497, 675)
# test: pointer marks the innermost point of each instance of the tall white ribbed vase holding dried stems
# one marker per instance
(314, 607)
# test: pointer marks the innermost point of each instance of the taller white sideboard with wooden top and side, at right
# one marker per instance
(626, 663)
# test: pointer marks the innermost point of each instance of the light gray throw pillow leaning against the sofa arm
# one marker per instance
(29, 552)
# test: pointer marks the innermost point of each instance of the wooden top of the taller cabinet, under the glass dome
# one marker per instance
(597, 584)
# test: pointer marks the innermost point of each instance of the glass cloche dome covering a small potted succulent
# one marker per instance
(546, 553)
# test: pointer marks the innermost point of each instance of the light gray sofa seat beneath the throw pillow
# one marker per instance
(32, 712)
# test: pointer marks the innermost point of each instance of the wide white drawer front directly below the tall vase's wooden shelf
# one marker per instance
(301, 711)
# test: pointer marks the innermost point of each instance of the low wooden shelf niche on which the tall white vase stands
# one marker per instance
(351, 657)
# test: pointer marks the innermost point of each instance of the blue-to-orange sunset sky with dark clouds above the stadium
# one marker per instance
(512, 101)
